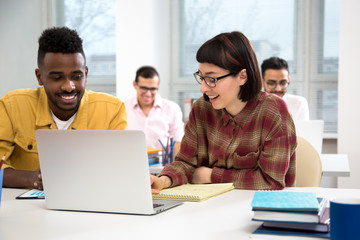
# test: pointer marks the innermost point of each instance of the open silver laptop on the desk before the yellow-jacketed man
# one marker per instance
(97, 171)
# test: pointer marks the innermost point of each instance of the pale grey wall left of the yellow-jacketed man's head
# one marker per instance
(21, 23)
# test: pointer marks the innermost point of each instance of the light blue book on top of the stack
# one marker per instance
(285, 201)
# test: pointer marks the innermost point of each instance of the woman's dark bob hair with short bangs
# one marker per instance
(233, 51)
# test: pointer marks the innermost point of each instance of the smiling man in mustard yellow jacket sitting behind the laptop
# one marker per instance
(60, 103)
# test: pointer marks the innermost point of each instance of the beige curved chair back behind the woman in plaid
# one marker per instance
(308, 164)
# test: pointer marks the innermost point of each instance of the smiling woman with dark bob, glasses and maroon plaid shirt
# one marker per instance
(236, 132)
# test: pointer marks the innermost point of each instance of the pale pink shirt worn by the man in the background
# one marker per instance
(163, 121)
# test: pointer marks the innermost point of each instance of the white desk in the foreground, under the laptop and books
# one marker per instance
(227, 216)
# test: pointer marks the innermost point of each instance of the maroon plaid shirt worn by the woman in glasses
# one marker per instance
(254, 149)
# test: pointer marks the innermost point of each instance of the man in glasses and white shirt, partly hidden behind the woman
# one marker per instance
(275, 77)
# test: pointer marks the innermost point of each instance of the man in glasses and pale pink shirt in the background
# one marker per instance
(159, 118)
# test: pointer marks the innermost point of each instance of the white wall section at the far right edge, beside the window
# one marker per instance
(349, 85)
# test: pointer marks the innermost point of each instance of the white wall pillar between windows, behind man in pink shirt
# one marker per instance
(143, 38)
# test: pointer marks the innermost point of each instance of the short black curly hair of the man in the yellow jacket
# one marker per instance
(59, 40)
